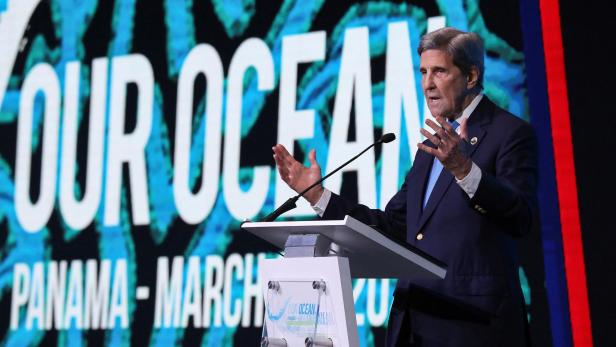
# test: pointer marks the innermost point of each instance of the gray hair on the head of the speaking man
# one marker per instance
(465, 49)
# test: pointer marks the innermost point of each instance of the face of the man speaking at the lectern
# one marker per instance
(444, 85)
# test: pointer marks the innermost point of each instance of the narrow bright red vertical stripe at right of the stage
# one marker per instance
(565, 173)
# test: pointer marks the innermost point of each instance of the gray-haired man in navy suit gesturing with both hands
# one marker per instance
(470, 192)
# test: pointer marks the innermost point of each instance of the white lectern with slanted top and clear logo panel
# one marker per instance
(308, 294)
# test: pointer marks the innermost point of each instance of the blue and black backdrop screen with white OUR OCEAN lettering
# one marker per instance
(137, 135)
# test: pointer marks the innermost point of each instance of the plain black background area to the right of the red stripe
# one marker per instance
(588, 46)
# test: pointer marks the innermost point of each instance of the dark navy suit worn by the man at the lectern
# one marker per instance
(479, 302)
